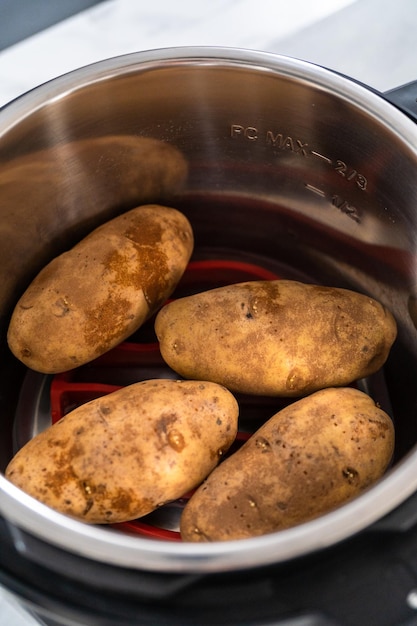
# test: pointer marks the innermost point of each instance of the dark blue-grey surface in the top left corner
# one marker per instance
(22, 18)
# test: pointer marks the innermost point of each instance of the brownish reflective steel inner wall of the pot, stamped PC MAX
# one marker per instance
(283, 172)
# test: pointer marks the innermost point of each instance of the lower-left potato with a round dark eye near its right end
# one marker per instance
(123, 455)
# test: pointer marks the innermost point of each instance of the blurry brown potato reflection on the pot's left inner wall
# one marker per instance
(61, 193)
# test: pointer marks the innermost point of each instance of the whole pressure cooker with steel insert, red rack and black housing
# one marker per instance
(293, 171)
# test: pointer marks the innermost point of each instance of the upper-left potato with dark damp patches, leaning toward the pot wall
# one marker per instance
(89, 299)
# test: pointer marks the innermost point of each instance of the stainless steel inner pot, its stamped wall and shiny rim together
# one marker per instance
(291, 166)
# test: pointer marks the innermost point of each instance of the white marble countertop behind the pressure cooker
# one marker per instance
(370, 40)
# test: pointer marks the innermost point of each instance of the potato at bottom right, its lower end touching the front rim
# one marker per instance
(308, 459)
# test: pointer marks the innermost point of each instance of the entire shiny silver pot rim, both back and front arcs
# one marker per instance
(112, 547)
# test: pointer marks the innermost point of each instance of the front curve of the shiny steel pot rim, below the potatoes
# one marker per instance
(122, 550)
